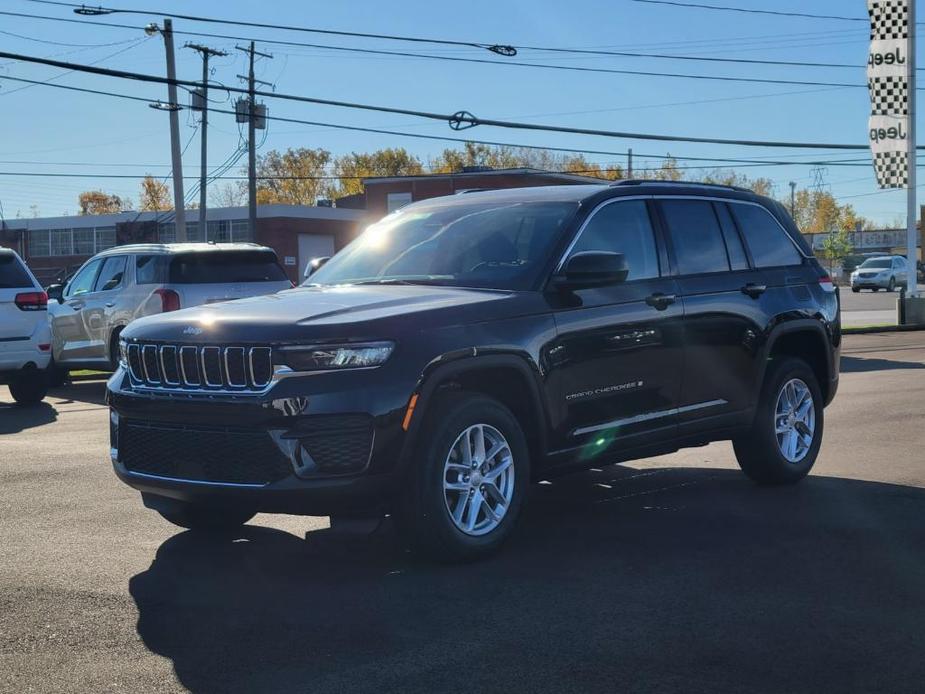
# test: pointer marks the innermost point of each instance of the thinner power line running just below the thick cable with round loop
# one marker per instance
(444, 138)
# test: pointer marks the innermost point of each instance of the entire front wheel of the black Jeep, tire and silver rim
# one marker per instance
(424, 516)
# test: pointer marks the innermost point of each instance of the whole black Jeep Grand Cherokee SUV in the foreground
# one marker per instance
(465, 345)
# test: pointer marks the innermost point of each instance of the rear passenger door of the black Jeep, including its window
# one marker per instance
(722, 310)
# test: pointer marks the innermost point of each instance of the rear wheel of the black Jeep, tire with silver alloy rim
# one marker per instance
(761, 452)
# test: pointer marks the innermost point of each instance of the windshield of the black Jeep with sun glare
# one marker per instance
(487, 245)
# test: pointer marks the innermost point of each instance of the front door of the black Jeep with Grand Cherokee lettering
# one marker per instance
(615, 367)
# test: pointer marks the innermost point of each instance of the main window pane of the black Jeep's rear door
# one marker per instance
(696, 236)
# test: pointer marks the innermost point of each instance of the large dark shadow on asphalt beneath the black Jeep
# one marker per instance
(616, 580)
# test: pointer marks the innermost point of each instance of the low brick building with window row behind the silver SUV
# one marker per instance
(55, 246)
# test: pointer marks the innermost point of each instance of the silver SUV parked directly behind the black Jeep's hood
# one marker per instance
(121, 284)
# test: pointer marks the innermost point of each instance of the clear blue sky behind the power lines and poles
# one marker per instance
(49, 130)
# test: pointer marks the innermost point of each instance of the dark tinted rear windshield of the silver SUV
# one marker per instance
(225, 267)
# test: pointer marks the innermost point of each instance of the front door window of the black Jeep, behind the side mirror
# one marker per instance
(623, 227)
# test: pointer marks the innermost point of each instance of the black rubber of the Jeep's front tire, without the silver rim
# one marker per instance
(424, 513)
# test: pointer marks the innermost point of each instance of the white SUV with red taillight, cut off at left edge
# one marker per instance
(25, 338)
